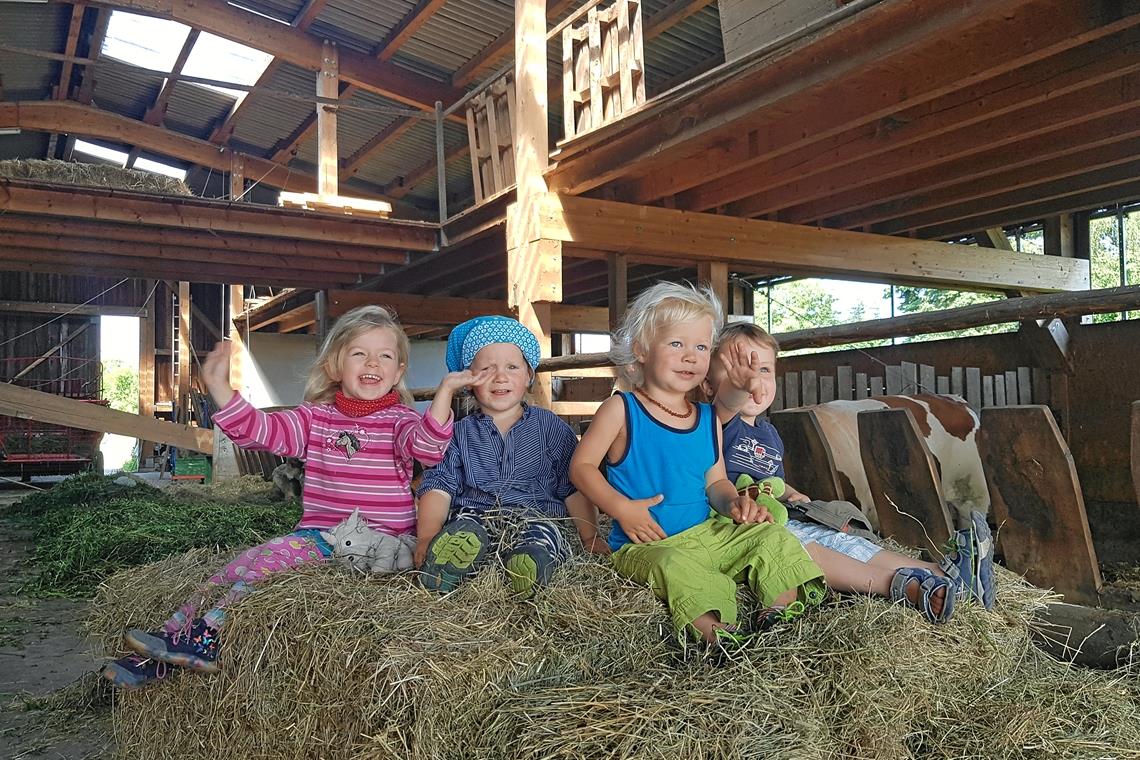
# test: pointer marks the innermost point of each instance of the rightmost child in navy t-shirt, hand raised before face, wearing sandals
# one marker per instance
(743, 380)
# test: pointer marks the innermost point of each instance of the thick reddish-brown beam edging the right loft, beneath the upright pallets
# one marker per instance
(760, 108)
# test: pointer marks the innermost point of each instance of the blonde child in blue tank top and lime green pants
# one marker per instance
(679, 525)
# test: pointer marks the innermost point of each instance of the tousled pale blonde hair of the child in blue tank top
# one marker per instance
(662, 306)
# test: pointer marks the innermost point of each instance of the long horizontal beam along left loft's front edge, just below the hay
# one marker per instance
(19, 197)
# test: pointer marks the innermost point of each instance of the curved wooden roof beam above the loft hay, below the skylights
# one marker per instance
(75, 118)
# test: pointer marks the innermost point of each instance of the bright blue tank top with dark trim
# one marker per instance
(666, 461)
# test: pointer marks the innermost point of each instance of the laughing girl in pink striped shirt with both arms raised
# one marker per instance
(359, 437)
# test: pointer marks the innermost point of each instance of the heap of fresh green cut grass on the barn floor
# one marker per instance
(89, 527)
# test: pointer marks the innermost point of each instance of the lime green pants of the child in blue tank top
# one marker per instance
(698, 570)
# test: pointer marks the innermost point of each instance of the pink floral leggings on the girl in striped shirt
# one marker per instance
(251, 567)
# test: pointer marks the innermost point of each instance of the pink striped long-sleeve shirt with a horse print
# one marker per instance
(352, 463)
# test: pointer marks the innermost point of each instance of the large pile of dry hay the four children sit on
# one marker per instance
(323, 665)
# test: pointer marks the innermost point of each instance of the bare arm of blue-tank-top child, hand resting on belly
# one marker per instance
(585, 473)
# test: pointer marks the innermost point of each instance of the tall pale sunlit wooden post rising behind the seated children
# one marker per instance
(534, 265)
